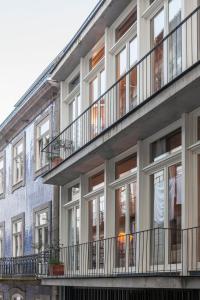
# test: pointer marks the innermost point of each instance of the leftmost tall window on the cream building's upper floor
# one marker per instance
(74, 112)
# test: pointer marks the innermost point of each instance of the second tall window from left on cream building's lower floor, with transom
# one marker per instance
(96, 222)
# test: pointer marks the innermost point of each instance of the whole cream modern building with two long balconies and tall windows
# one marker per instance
(127, 156)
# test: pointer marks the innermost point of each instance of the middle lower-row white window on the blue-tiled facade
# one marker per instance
(17, 236)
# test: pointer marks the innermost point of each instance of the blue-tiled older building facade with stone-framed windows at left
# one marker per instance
(27, 207)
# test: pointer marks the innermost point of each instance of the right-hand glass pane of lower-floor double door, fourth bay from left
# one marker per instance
(175, 207)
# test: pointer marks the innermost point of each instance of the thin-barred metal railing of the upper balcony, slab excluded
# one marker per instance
(175, 54)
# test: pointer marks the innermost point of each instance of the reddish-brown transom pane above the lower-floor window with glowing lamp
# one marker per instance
(125, 166)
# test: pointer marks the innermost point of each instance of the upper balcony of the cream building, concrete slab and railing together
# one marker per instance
(169, 62)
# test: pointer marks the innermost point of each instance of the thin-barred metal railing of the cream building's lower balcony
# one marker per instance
(154, 252)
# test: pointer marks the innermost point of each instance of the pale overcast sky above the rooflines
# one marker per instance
(32, 33)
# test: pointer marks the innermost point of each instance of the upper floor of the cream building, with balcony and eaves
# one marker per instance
(123, 76)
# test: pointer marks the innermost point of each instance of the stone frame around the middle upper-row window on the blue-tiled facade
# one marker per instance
(21, 182)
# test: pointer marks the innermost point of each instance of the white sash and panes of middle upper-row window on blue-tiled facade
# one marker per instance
(18, 162)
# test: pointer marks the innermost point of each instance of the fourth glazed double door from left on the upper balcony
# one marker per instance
(166, 59)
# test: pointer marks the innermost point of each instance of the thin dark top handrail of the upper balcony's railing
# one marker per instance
(124, 75)
